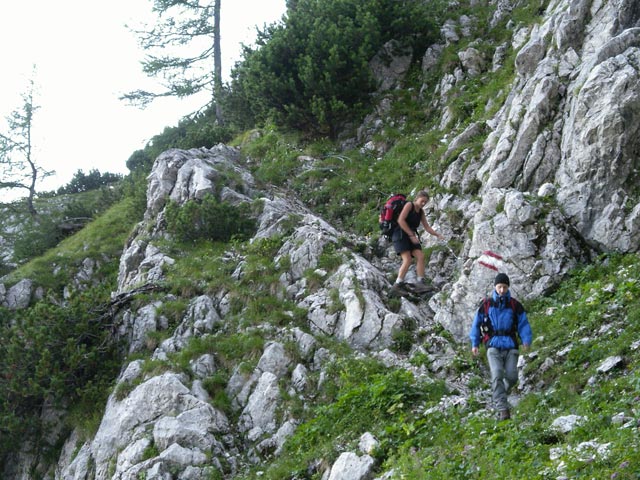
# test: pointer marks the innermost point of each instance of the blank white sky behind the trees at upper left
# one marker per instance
(85, 59)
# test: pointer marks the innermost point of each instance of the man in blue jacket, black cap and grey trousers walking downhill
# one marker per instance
(507, 321)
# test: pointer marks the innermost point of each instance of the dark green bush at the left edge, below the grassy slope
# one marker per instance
(53, 355)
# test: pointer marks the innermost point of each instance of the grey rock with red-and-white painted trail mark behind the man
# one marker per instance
(513, 233)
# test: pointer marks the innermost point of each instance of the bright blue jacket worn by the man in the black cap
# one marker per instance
(501, 316)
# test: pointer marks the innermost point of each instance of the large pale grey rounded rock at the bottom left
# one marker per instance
(161, 411)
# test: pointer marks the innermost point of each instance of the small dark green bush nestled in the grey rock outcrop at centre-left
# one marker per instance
(208, 219)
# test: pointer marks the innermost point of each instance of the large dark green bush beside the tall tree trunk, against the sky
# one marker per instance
(312, 72)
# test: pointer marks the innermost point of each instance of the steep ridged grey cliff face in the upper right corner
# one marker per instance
(572, 121)
